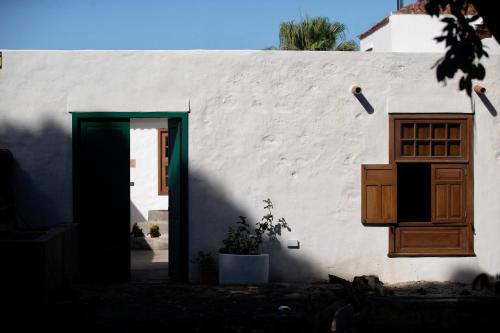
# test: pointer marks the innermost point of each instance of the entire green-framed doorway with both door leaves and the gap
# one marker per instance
(102, 162)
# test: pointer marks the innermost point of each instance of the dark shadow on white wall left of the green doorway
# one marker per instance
(41, 174)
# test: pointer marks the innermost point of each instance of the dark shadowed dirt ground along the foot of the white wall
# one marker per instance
(176, 307)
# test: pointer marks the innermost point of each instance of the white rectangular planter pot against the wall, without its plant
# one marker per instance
(243, 268)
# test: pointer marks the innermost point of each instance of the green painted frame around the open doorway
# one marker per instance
(183, 116)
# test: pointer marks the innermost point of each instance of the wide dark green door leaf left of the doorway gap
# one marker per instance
(102, 198)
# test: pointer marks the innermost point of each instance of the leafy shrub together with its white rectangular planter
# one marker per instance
(240, 260)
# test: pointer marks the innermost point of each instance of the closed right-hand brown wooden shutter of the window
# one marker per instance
(449, 193)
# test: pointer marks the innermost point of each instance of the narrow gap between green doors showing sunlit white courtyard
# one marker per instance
(149, 160)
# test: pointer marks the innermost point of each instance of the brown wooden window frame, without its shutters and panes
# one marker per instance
(435, 238)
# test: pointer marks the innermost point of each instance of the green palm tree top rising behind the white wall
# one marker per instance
(315, 34)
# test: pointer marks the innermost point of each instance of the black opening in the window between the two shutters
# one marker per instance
(414, 192)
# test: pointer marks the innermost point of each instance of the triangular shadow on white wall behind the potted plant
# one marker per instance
(213, 210)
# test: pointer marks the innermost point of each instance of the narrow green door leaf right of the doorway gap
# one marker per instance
(174, 200)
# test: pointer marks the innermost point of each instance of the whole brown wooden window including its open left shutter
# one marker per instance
(429, 184)
